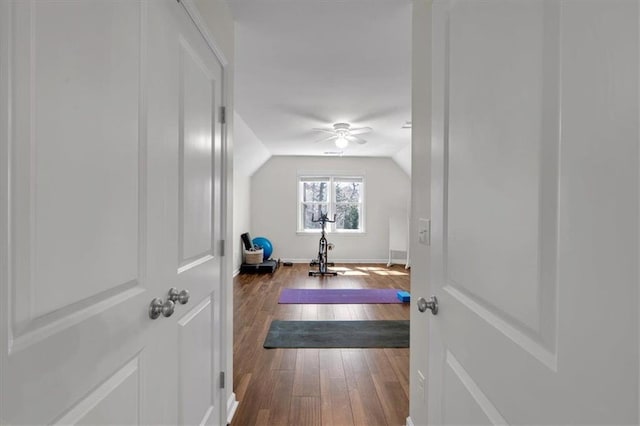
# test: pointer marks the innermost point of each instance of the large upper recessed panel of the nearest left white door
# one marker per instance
(67, 125)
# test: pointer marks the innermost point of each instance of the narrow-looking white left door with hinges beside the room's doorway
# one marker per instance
(185, 102)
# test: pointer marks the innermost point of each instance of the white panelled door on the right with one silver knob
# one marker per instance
(535, 212)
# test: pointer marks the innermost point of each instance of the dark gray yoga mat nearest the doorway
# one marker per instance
(338, 334)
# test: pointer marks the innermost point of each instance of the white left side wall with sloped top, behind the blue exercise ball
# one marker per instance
(249, 155)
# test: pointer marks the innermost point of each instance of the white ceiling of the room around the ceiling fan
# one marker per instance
(302, 64)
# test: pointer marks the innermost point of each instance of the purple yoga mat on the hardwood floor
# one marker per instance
(354, 295)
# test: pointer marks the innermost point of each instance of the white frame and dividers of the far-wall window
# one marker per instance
(331, 201)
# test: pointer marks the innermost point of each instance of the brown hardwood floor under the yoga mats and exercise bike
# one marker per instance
(317, 386)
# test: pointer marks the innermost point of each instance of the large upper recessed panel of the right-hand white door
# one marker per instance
(493, 253)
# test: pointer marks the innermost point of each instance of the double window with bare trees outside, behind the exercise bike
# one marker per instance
(332, 195)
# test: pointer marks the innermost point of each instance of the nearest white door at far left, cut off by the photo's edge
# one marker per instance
(77, 285)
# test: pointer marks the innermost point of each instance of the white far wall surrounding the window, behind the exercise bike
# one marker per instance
(274, 199)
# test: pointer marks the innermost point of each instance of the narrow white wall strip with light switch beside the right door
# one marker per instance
(421, 201)
